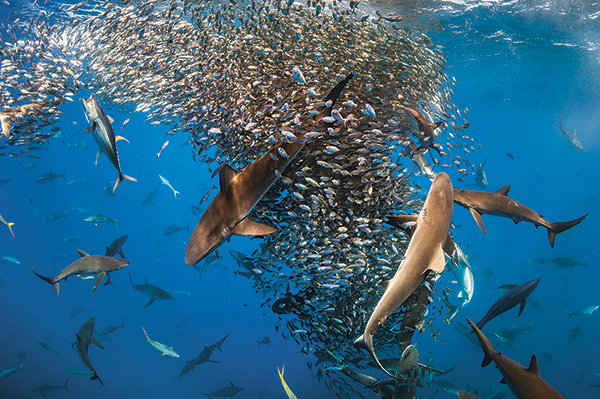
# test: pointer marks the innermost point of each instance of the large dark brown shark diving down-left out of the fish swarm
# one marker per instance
(239, 192)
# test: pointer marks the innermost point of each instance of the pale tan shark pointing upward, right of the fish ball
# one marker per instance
(424, 253)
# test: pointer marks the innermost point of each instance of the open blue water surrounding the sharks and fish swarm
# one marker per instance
(517, 67)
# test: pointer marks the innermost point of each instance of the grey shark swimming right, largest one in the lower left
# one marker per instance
(87, 264)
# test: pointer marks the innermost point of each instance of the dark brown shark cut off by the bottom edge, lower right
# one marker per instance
(524, 383)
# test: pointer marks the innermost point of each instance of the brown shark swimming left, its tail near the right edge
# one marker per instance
(500, 204)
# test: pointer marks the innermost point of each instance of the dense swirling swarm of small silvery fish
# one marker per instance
(238, 77)
